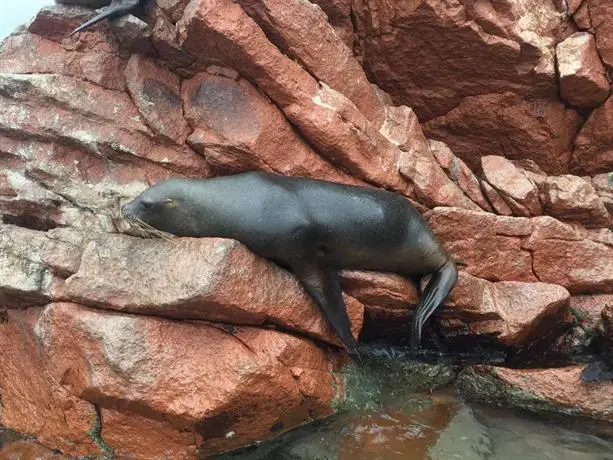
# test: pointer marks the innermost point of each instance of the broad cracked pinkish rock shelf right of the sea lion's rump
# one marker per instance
(542, 249)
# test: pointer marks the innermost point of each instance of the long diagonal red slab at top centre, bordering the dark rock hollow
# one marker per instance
(302, 31)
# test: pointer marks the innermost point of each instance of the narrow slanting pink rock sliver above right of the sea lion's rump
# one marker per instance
(458, 172)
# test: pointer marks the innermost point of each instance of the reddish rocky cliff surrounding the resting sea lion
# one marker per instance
(493, 118)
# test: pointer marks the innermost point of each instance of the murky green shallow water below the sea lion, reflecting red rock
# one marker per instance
(390, 413)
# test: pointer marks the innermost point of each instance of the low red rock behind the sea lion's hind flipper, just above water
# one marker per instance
(512, 314)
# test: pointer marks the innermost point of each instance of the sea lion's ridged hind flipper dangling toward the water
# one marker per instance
(438, 287)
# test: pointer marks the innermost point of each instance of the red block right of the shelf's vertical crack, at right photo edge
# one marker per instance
(582, 267)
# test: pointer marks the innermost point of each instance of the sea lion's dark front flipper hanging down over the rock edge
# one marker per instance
(324, 286)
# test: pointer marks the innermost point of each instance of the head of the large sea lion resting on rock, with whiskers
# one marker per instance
(165, 207)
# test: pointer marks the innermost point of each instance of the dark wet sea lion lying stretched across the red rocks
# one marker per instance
(311, 227)
